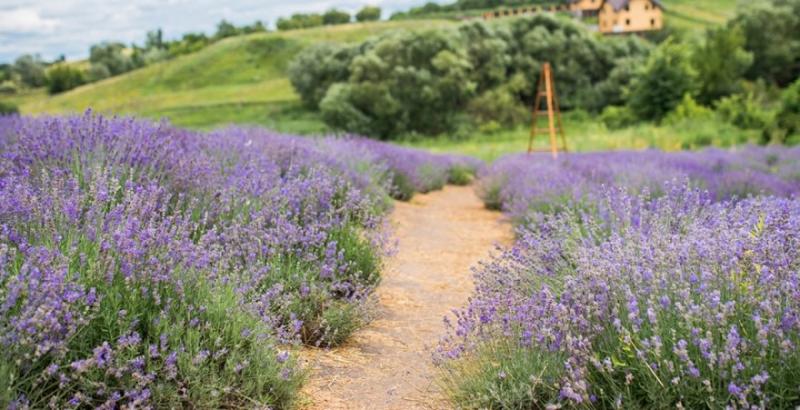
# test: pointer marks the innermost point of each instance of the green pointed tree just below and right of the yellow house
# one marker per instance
(661, 85)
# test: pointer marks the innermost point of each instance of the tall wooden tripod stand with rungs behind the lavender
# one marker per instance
(547, 89)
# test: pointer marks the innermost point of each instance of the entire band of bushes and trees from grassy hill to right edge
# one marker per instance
(484, 75)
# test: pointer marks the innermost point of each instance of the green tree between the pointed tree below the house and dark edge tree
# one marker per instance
(720, 61)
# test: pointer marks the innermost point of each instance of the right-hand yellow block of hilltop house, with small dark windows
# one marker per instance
(642, 15)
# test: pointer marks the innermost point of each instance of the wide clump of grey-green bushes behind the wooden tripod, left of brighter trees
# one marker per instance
(458, 70)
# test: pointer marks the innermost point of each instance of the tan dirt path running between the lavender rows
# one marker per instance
(387, 364)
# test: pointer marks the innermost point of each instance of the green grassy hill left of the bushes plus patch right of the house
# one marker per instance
(243, 79)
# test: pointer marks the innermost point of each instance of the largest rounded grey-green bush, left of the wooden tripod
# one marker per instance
(404, 82)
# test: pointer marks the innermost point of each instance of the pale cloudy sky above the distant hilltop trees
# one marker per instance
(54, 27)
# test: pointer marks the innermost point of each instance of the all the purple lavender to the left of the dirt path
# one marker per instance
(144, 265)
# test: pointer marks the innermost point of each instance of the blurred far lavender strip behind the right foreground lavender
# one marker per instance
(524, 185)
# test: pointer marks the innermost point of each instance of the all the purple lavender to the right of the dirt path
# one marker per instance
(638, 280)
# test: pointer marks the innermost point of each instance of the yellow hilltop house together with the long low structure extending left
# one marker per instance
(613, 16)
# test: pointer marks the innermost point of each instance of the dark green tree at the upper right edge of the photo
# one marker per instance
(770, 30)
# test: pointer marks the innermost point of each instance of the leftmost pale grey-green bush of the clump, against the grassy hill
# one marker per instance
(318, 67)
